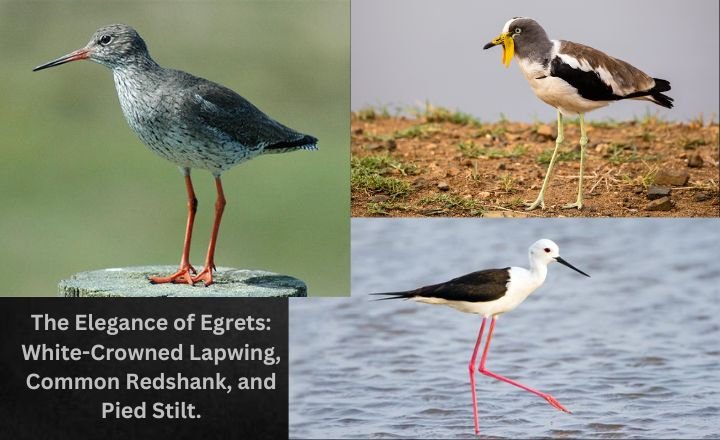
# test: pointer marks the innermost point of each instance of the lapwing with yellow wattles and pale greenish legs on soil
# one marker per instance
(574, 79)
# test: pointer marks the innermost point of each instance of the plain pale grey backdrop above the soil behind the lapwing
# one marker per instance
(405, 52)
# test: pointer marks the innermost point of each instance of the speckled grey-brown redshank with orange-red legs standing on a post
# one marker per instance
(190, 121)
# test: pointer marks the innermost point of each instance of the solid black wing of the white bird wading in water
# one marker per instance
(480, 286)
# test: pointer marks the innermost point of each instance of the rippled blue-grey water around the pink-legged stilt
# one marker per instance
(632, 351)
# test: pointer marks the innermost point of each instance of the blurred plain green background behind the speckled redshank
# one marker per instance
(79, 191)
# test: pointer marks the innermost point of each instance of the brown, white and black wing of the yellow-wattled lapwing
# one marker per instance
(588, 70)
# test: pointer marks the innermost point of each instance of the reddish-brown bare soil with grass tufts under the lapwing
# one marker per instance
(445, 163)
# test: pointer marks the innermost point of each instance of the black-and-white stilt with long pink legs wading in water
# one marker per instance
(491, 293)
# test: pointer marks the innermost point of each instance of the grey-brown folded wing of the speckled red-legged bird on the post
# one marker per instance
(229, 114)
